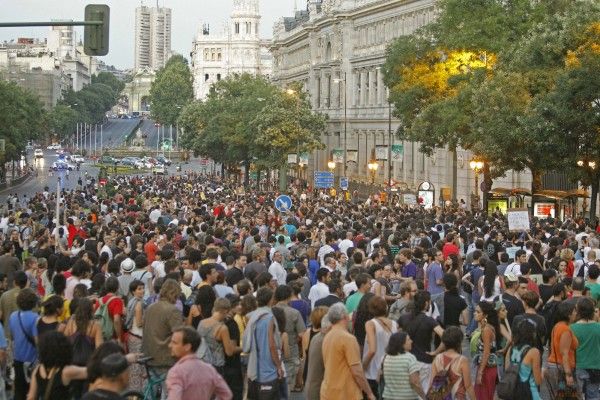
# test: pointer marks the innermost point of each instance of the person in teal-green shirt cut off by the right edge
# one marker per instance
(587, 357)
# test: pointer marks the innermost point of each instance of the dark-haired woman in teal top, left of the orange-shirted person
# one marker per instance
(525, 353)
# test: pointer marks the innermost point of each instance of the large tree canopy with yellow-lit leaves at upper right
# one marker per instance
(480, 76)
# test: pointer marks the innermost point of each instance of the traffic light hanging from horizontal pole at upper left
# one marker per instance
(95, 37)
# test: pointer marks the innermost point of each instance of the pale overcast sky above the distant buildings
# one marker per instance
(187, 16)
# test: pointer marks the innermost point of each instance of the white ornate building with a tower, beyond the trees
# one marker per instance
(236, 49)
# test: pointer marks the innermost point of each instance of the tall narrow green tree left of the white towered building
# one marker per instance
(171, 91)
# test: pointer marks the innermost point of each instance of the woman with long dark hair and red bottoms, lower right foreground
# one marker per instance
(486, 359)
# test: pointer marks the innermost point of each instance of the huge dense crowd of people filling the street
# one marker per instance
(190, 288)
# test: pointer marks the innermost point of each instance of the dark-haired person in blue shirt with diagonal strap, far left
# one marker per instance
(23, 328)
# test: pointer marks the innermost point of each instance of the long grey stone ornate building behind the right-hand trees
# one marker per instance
(335, 49)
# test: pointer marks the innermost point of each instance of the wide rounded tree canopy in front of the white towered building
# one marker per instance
(246, 118)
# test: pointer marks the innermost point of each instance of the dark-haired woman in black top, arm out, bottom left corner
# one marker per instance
(52, 377)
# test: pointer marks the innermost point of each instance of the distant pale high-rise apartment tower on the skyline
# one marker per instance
(152, 37)
